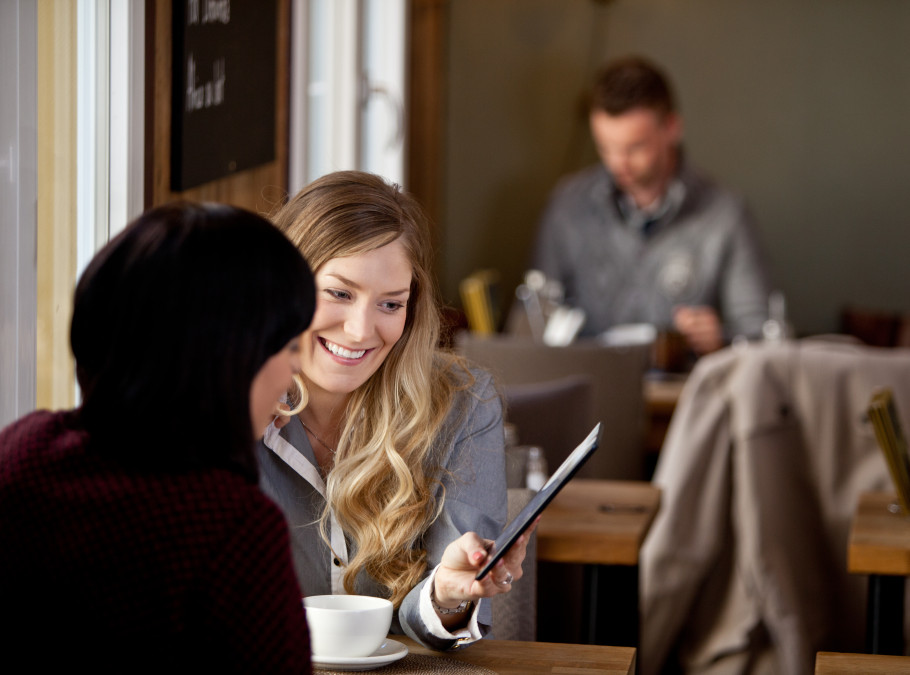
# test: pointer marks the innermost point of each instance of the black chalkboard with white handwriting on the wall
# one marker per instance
(223, 98)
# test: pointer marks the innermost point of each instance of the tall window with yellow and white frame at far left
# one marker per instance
(72, 139)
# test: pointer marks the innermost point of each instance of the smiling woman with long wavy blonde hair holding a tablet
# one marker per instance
(392, 474)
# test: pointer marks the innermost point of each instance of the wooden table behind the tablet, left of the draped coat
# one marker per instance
(602, 525)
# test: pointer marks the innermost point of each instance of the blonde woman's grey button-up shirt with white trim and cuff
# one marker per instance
(476, 500)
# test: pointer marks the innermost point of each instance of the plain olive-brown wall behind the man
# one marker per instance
(800, 105)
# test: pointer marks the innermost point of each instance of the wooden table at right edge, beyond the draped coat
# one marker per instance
(880, 547)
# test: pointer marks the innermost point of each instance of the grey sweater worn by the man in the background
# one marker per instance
(701, 251)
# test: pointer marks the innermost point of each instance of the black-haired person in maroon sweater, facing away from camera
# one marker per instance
(133, 531)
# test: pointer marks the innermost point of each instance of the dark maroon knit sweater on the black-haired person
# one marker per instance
(115, 569)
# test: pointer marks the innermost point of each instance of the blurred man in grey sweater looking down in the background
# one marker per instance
(642, 237)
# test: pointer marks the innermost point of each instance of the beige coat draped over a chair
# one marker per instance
(745, 567)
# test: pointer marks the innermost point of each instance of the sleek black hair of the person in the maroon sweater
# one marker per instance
(171, 322)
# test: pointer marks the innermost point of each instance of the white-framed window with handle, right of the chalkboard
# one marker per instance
(347, 88)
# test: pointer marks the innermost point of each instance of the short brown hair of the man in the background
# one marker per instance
(629, 83)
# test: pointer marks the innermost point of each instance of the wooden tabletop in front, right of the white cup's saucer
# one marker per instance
(510, 657)
